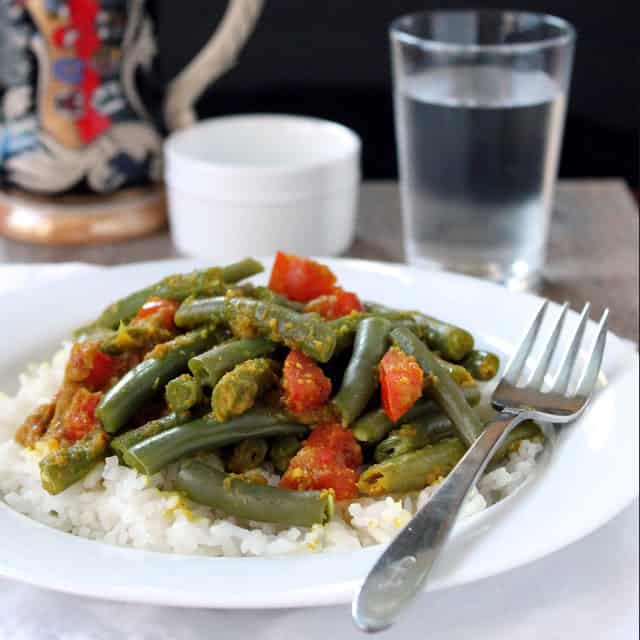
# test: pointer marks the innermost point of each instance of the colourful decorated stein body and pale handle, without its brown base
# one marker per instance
(71, 117)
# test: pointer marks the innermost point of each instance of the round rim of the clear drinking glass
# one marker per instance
(399, 33)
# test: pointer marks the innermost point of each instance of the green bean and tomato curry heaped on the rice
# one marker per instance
(341, 398)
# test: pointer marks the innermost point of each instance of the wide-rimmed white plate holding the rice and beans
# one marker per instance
(592, 475)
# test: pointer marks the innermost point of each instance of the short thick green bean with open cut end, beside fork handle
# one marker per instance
(412, 471)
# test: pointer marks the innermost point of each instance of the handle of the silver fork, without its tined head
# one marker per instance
(404, 566)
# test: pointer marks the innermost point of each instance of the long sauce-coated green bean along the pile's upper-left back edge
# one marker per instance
(207, 282)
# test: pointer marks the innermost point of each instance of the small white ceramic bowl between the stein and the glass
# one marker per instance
(252, 184)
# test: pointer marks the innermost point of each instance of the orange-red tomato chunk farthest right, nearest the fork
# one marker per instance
(401, 381)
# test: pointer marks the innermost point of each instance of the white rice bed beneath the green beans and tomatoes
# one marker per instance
(116, 504)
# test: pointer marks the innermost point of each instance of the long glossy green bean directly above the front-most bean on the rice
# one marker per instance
(149, 456)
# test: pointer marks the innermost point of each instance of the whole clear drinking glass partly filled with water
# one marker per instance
(479, 100)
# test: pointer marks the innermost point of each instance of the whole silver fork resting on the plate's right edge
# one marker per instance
(404, 566)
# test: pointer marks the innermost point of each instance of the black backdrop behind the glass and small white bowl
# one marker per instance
(330, 59)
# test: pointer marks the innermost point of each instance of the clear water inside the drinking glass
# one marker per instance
(478, 151)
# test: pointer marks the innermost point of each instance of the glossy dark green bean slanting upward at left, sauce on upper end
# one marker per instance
(145, 380)
